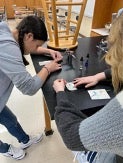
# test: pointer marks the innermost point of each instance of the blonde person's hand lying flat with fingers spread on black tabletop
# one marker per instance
(87, 81)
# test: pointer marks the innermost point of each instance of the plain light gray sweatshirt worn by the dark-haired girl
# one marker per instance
(12, 70)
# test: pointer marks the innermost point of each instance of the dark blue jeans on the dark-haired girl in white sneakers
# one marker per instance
(9, 120)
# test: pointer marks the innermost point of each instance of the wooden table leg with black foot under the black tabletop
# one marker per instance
(48, 130)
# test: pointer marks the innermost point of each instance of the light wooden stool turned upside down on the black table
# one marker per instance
(58, 38)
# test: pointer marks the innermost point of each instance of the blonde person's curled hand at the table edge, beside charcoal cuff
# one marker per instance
(59, 85)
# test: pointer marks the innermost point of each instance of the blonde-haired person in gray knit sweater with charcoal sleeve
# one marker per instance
(103, 131)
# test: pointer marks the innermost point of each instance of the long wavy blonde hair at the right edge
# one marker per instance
(114, 57)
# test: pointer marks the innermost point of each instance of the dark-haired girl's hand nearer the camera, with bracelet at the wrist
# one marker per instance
(53, 66)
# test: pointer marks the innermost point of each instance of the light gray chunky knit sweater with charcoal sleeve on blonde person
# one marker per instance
(103, 131)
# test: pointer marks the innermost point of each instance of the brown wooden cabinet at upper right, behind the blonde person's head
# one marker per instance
(103, 14)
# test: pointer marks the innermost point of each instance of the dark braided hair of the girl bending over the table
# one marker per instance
(34, 25)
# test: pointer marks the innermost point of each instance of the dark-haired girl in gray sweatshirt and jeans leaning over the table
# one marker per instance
(27, 38)
